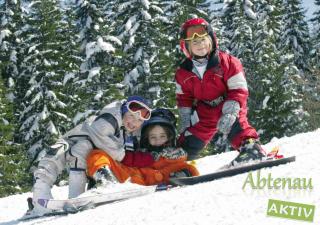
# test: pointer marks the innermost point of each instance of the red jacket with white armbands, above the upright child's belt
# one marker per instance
(223, 76)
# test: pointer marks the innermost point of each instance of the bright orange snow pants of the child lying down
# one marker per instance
(158, 173)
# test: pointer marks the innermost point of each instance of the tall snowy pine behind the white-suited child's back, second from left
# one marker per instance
(43, 114)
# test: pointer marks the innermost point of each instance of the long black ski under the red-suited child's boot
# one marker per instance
(231, 171)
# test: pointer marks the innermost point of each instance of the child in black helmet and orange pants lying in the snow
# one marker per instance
(158, 137)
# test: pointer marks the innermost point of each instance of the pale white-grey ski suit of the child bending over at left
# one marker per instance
(103, 131)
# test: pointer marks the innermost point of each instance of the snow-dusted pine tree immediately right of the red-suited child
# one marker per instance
(277, 105)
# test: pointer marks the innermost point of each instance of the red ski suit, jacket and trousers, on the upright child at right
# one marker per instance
(223, 80)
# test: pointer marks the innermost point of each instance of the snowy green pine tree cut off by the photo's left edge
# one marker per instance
(13, 161)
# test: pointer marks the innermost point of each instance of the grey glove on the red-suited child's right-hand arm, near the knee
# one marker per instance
(230, 112)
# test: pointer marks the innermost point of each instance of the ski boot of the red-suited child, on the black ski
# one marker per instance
(250, 150)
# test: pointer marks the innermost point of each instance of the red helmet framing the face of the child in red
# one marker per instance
(195, 22)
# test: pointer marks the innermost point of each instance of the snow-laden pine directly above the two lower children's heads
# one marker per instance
(136, 24)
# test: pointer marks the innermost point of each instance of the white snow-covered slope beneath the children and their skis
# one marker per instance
(221, 202)
